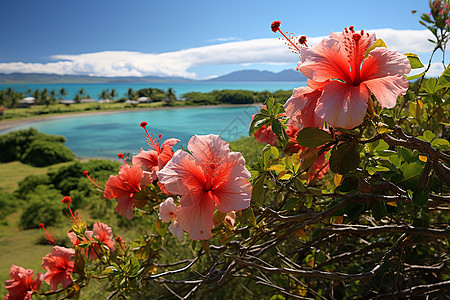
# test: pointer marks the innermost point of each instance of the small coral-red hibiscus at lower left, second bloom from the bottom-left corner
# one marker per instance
(59, 267)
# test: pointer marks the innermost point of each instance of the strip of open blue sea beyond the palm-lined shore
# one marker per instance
(94, 89)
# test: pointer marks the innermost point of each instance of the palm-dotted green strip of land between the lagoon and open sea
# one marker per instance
(49, 103)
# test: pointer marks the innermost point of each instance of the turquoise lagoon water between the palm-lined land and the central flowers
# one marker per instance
(106, 135)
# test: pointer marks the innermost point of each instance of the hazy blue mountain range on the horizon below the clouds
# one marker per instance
(243, 75)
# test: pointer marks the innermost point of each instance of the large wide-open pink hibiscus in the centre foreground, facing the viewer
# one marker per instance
(212, 177)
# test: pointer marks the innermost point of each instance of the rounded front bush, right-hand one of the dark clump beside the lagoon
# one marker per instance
(44, 153)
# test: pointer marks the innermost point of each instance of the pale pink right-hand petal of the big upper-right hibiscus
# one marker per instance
(387, 89)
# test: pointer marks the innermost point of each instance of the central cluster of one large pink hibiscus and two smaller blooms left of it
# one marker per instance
(207, 178)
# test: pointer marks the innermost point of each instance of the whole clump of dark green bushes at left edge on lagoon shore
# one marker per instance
(33, 147)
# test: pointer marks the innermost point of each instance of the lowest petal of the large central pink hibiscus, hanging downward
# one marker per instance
(195, 214)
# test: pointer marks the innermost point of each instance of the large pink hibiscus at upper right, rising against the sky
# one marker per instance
(342, 78)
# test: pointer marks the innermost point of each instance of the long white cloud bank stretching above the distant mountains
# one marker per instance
(177, 63)
